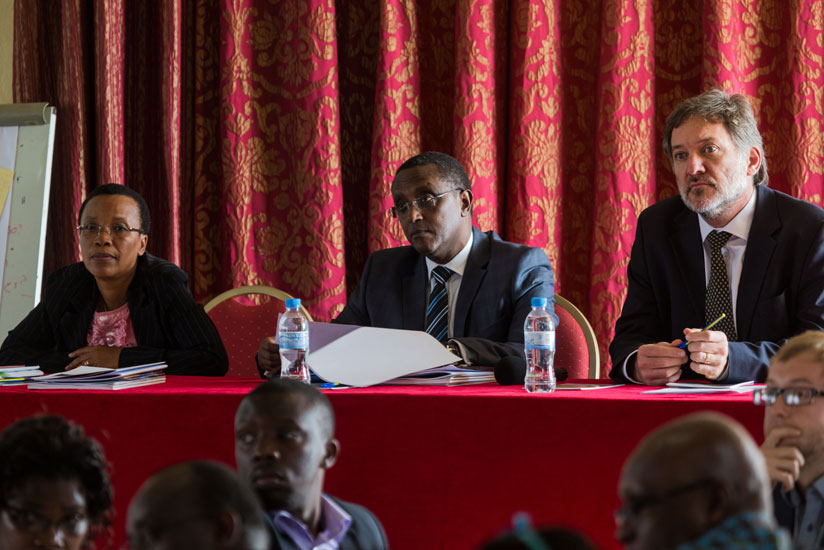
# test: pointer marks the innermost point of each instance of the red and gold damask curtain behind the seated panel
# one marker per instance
(265, 133)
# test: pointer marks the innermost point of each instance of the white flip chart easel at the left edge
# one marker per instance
(26, 152)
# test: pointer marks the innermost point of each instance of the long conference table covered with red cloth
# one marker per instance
(443, 468)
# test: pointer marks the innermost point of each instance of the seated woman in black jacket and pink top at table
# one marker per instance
(120, 306)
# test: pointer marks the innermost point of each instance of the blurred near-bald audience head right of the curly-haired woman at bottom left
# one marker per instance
(199, 504)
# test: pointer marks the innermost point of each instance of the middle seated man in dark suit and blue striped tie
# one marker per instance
(489, 283)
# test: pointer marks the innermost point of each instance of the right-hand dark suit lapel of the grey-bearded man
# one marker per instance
(761, 244)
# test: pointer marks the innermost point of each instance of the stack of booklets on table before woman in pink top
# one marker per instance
(100, 378)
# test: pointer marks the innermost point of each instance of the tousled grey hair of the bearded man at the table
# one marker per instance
(733, 111)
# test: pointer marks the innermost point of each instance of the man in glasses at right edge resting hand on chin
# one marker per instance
(794, 437)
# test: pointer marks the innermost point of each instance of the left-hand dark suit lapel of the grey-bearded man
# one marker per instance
(688, 252)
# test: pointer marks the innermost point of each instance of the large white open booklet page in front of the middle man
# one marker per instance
(365, 356)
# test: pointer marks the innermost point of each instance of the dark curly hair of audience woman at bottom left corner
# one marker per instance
(51, 447)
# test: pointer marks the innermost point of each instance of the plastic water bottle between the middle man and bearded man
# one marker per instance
(539, 348)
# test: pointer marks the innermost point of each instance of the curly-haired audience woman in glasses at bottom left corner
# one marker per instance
(54, 486)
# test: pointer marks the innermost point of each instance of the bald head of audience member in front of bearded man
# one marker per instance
(686, 477)
